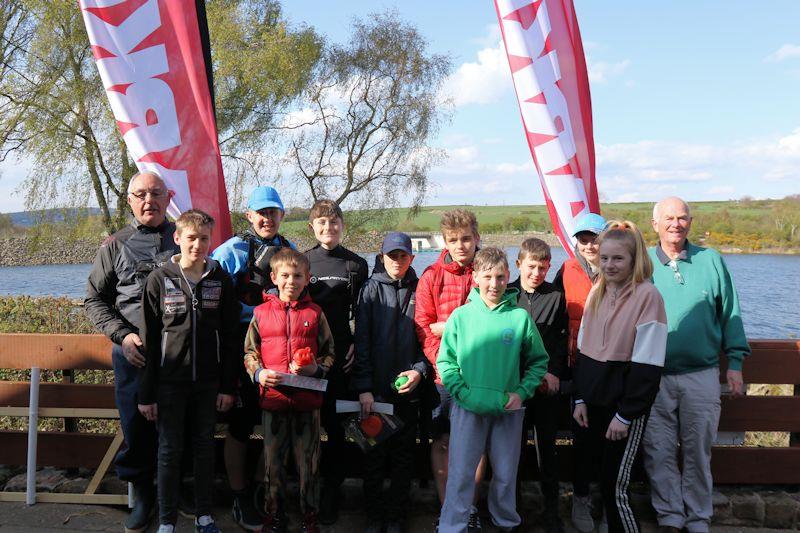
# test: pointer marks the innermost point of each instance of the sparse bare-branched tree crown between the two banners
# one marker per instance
(371, 111)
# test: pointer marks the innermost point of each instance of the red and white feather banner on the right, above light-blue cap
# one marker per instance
(544, 50)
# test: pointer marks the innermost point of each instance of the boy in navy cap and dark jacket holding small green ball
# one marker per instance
(387, 350)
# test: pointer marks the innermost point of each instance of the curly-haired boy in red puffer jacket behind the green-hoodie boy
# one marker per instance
(443, 287)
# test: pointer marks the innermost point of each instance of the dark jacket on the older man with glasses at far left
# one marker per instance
(114, 290)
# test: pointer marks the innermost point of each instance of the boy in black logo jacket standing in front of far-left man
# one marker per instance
(190, 319)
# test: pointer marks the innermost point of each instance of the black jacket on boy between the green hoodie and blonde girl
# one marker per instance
(548, 309)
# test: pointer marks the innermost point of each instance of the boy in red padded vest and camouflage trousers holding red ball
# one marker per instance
(281, 326)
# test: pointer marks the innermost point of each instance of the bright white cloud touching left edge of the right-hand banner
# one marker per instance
(480, 82)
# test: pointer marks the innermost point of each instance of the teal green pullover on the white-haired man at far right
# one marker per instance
(703, 315)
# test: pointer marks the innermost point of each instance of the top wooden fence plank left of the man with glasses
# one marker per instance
(55, 352)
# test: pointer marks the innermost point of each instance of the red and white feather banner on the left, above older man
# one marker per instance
(152, 63)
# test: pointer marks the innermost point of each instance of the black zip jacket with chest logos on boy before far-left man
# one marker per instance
(189, 333)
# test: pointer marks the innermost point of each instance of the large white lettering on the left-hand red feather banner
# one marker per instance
(140, 100)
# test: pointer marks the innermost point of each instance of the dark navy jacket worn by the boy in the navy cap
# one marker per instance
(386, 341)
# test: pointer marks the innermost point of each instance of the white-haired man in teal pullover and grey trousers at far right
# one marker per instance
(703, 319)
